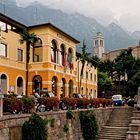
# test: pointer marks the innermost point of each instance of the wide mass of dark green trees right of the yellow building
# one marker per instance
(122, 71)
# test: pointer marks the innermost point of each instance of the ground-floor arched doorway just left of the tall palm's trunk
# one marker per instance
(19, 86)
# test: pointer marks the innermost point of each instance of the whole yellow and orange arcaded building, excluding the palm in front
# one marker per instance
(52, 65)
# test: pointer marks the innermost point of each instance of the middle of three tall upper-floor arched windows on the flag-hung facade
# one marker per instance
(62, 55)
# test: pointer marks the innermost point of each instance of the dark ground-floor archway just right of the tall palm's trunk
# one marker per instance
(37, 84)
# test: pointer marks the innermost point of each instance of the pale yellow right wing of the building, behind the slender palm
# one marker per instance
(89, 79)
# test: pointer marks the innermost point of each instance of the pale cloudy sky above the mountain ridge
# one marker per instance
(123, 12)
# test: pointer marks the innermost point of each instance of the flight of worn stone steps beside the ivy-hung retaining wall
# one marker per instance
(117, 126)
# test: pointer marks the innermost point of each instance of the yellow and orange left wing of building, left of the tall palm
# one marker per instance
(12, 64)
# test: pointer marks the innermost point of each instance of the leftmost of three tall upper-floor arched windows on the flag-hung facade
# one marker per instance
(54, 52)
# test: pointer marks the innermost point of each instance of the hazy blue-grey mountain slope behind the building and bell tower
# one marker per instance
(77, 25)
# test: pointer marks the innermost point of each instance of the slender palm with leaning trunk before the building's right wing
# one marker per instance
(83, 58)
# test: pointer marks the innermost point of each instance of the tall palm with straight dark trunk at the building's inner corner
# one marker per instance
(30, 39)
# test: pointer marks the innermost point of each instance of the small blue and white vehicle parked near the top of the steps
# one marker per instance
(117, 100)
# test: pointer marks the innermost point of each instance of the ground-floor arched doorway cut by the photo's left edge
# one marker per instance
(3, 83)
